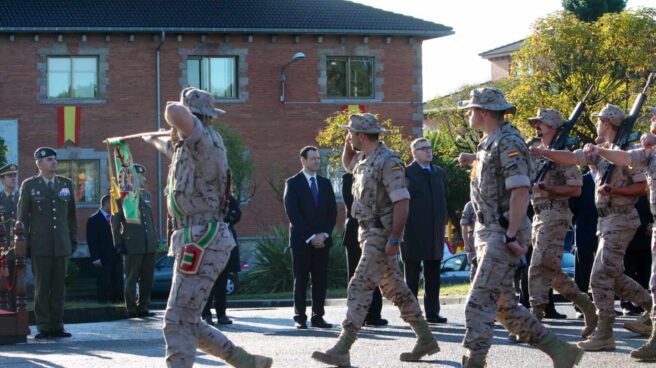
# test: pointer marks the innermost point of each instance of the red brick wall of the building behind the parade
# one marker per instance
(273, 132)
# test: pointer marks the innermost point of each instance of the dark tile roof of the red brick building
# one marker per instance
(252, 16)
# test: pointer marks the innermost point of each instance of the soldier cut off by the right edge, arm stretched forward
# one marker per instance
(644, 157)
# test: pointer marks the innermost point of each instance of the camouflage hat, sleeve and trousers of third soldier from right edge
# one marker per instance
(550, 223)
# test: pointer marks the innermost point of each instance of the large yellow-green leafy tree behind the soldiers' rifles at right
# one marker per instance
(564, 56)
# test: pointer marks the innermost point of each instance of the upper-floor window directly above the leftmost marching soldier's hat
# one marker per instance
(217, 75)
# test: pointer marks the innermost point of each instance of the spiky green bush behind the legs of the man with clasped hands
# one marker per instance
(273, 272)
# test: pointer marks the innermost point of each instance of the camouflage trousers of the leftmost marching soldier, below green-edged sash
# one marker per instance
(184, 331)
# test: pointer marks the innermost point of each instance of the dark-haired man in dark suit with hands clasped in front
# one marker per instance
(312, 212)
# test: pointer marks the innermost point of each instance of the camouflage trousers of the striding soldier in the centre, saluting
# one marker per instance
(377, 269)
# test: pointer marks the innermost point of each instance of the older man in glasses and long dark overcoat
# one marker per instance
(423, 239)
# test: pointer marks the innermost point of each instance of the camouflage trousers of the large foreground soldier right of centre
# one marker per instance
(492, 295)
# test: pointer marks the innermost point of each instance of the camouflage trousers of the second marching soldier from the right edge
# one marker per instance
(615, 231)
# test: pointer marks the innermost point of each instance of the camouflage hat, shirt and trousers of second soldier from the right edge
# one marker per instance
(618, 220)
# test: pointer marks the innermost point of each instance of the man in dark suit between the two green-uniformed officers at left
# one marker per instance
(108, 263)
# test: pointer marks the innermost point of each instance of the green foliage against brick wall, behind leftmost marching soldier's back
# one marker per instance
(240, 161)
